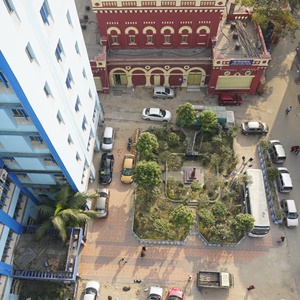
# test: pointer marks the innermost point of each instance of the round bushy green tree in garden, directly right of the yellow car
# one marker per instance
(147, 174)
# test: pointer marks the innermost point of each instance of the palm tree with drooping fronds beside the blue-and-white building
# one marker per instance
(63, 212)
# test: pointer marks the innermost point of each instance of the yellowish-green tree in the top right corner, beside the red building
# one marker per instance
(274, 12)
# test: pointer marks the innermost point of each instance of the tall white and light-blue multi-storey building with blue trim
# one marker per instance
(49, 113)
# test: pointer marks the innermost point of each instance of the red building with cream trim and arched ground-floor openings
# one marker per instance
(176, 43)
